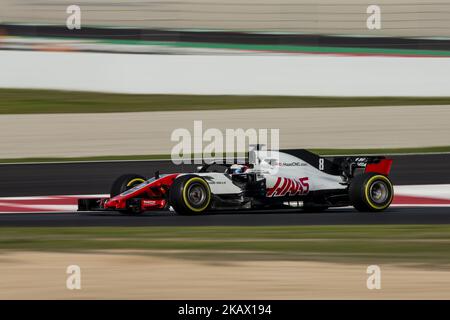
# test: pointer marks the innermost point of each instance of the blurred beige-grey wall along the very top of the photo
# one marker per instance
(419, 18)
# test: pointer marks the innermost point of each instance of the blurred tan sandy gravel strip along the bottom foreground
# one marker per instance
(122, 275)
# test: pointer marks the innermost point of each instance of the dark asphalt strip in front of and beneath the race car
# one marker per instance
(393, 215)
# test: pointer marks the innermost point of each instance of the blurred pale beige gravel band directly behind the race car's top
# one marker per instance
(71, 135)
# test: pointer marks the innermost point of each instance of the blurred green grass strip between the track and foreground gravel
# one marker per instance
(413, 244)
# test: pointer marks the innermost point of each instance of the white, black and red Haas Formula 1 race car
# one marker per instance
(270, 180)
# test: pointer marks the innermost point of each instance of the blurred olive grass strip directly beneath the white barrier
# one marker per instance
(21, 101)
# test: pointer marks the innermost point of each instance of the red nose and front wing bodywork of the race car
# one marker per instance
(153, 195)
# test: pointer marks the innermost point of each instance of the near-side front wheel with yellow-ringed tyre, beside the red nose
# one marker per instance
(190, 195)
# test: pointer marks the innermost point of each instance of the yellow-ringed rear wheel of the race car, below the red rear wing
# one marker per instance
(371, 192)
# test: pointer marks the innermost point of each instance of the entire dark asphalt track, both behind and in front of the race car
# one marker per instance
(96, 177)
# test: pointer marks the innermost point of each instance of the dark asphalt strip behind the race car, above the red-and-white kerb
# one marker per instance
(97, 177)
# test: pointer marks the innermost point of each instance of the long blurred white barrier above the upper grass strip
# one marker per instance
(313, 75)
